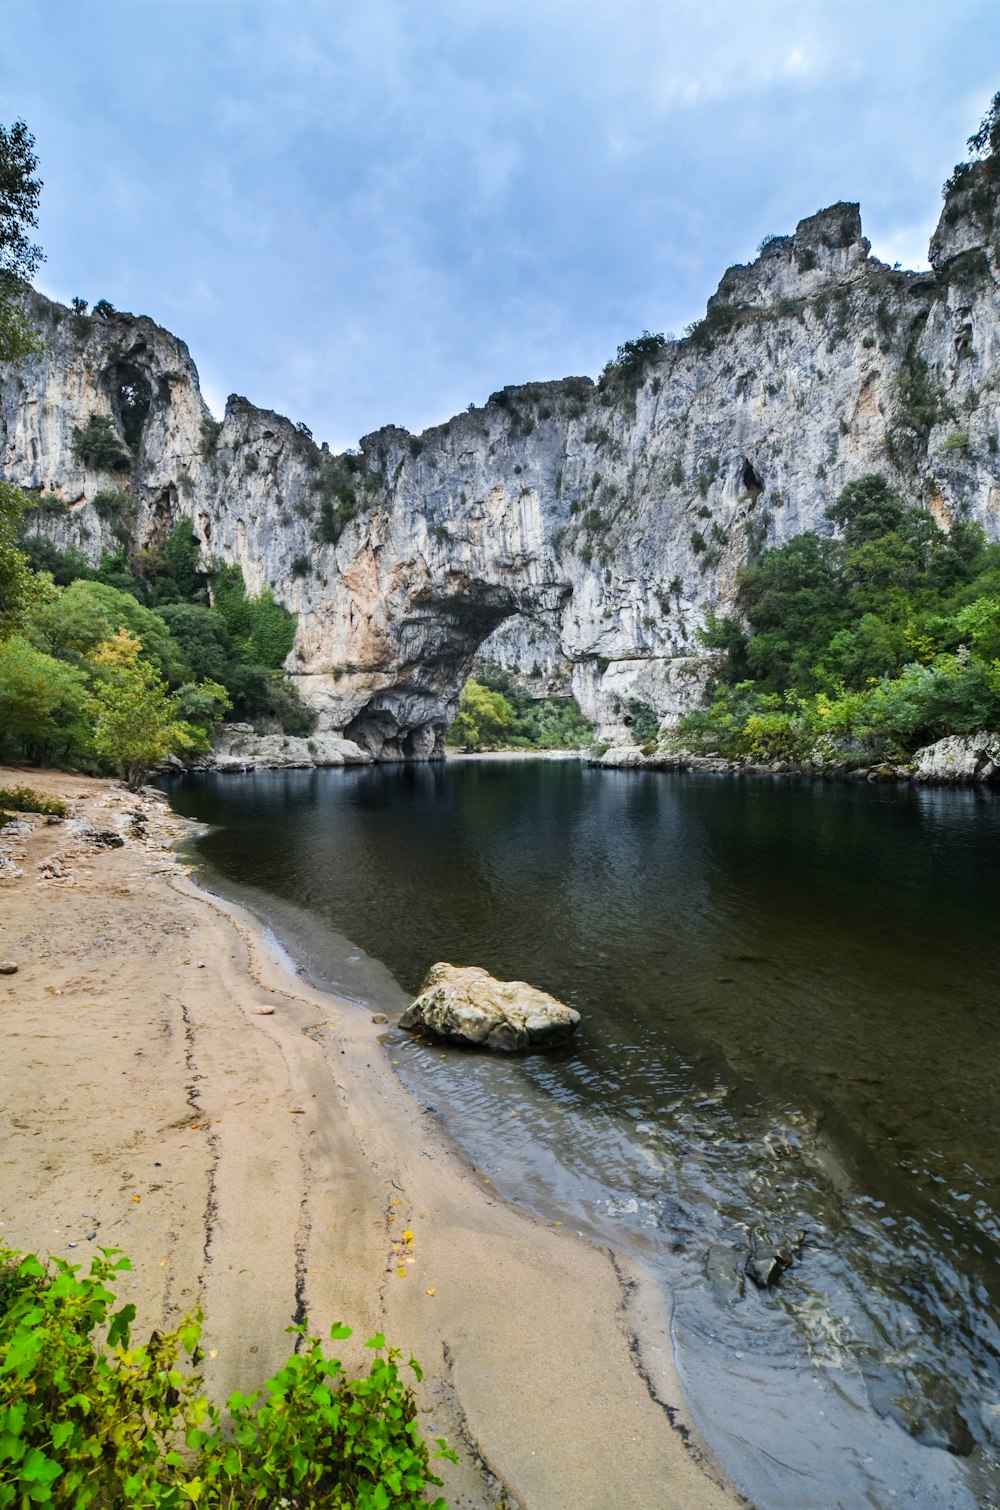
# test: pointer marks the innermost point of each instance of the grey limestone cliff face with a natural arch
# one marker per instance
(570, 529)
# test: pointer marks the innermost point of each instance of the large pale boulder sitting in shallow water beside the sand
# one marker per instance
(471, 1006)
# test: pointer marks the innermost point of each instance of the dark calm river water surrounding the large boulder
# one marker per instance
(791, 1002)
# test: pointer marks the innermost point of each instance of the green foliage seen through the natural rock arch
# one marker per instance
(498, 713)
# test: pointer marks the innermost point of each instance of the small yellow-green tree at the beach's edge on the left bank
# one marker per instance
(135, 718)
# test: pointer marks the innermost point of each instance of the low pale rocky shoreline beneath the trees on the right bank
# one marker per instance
(958, 760)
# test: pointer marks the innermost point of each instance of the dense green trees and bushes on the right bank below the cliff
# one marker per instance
(857, 647)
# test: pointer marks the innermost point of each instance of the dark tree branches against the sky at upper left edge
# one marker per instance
(19, 256)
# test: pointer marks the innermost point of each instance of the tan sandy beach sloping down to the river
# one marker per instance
(171, 1088)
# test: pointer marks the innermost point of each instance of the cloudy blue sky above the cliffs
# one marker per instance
(381, 212)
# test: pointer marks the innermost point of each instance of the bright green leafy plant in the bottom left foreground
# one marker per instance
(88, 1419)
